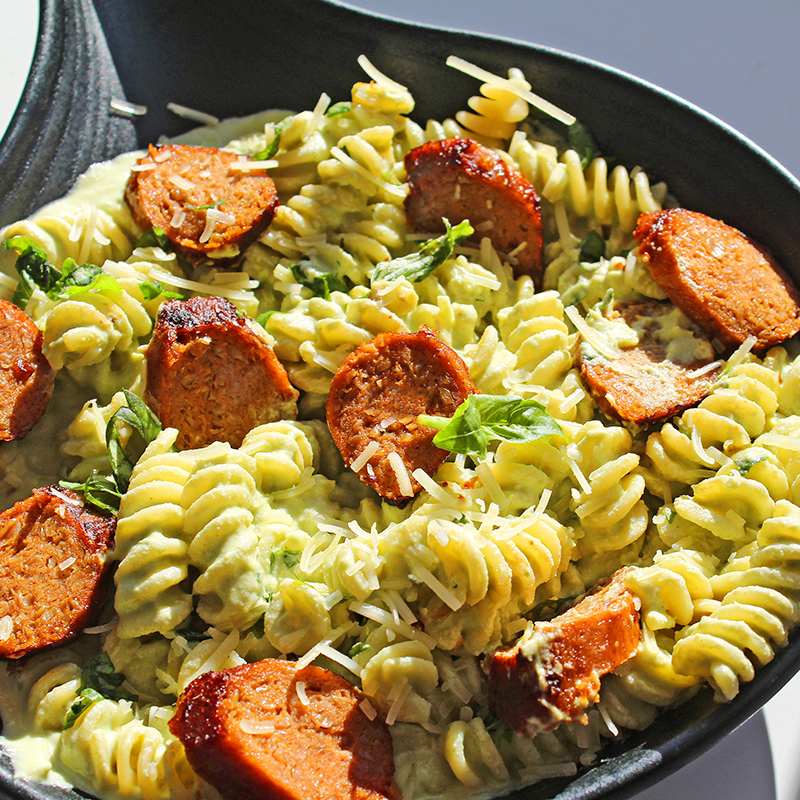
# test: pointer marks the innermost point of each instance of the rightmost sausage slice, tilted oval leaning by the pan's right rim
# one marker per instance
(723, 281)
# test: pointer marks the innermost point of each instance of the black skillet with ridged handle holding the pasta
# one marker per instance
(239, 57)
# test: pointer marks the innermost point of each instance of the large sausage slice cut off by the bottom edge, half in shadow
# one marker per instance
(268, 731)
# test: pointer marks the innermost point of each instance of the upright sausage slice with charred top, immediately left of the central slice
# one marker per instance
(211, 376)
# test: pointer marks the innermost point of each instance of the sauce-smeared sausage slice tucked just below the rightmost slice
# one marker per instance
(642, 385)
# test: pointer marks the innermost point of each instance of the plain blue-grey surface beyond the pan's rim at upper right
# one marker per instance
(739, 60)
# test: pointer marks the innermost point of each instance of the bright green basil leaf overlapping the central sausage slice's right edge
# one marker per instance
(484, 417)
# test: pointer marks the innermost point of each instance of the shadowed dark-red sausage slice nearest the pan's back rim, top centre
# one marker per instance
(460, 179)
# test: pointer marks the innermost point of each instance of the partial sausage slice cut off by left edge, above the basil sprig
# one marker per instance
(26, 377)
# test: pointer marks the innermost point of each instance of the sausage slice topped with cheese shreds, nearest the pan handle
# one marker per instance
(208, 208)
